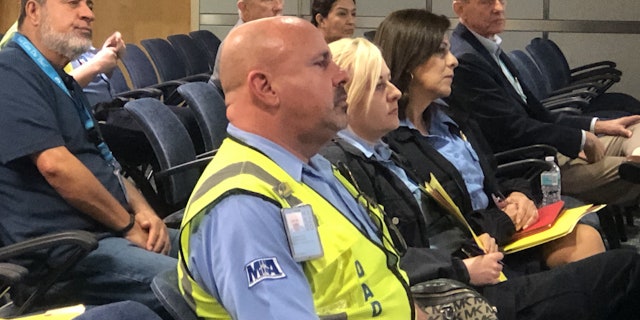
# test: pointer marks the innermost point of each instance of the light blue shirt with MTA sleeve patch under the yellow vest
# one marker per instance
(243, 229)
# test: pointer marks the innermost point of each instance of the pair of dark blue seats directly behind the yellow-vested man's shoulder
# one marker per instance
(172, 176)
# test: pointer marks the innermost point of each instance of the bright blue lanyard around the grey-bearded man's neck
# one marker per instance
(84, 114)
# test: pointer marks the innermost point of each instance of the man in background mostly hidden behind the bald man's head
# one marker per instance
(248, 10)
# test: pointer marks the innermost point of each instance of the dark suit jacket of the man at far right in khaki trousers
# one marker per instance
(481, 89)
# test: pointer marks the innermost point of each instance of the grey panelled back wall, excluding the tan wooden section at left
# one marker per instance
(571, 23)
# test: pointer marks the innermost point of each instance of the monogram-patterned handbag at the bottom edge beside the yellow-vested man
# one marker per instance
(447, 299)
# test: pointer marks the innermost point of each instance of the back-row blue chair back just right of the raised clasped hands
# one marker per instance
(139, 67)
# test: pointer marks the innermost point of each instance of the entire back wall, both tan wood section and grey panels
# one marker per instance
(574, 24)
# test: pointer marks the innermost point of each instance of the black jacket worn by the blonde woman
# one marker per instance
(380, 185)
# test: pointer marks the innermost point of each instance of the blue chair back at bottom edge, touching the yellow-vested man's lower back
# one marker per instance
(165, 287)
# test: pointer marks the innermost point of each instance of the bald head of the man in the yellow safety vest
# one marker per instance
(281, 83)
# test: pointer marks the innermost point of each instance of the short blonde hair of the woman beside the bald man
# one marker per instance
(363, 60)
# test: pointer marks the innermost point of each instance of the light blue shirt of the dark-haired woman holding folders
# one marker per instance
(446, 137)
